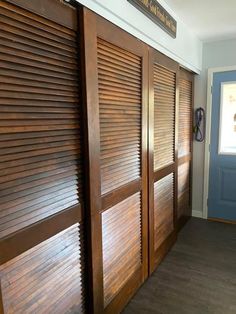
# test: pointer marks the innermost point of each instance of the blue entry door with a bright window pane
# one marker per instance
(222, 181)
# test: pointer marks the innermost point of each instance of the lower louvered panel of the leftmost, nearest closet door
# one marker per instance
(47, 278)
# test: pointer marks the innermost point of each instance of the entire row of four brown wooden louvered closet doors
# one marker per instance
(93, 174)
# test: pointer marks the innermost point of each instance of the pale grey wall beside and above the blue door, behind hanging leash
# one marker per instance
(215, 54)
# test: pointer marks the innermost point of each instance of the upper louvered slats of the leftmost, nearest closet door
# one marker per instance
(26, 166)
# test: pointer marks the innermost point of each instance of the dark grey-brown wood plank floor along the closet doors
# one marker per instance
(197, 277)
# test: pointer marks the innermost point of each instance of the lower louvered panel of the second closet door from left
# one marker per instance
(121, 229)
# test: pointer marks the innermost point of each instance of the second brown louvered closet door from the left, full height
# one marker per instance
(116, 76)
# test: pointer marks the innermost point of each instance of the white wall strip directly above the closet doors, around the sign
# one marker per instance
(185, 49)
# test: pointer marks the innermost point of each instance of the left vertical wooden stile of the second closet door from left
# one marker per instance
(93, 177)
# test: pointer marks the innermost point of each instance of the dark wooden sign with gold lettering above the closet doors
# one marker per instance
(157, 14)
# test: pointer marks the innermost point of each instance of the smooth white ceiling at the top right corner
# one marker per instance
(208, 19)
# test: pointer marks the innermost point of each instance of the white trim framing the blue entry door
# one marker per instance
(211, 71)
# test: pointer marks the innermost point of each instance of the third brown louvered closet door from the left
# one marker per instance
(163, 99)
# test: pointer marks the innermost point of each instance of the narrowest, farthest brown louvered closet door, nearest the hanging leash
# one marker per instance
(185, 146)
